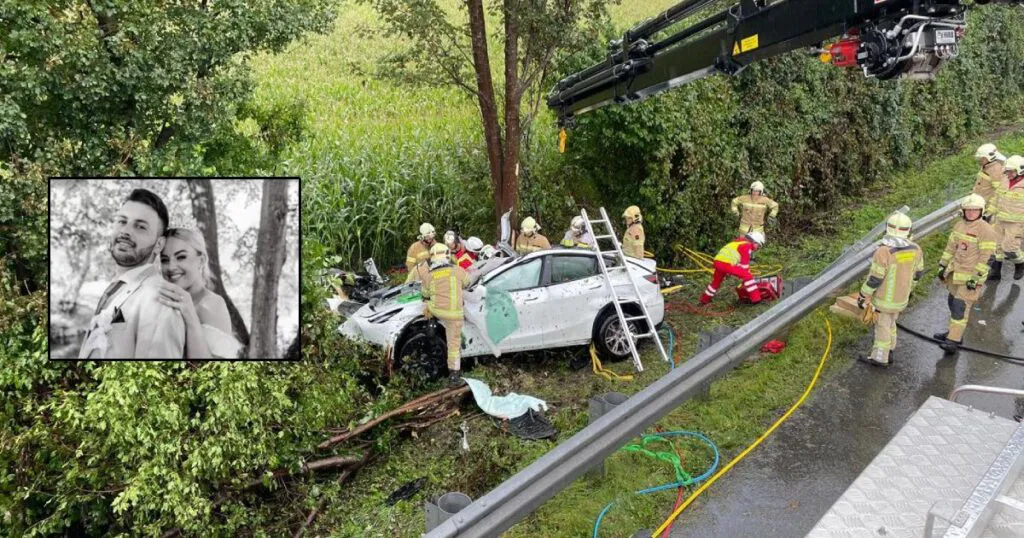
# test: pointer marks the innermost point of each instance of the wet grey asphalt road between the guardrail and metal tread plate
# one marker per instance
(784, 487)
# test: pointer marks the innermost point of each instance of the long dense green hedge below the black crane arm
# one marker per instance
(814, 134)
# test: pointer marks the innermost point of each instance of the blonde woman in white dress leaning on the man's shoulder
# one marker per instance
(186, 268)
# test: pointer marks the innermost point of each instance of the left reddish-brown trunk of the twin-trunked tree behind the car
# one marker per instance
(486, 97)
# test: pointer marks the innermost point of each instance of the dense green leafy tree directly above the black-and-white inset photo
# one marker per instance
(90, 88)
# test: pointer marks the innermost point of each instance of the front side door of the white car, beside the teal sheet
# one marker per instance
(523, 283)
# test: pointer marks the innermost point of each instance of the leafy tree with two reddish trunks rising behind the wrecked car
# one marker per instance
(453, 48)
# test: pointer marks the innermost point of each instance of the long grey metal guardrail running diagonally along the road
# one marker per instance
(523, 493)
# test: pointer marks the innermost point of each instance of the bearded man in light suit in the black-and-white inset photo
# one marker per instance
(130, 322)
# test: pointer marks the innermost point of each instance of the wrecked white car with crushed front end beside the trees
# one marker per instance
(547, 300)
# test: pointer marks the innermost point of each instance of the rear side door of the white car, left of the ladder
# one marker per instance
(576, 294)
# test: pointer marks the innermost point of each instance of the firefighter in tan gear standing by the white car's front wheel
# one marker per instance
(443, 289)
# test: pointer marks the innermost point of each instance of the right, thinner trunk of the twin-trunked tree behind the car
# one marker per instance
(510, 161)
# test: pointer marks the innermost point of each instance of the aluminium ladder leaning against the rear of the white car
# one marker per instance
(624, 320)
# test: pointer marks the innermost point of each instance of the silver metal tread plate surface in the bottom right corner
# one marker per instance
(940, 456)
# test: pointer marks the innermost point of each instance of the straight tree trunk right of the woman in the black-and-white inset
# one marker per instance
(270, 261)
